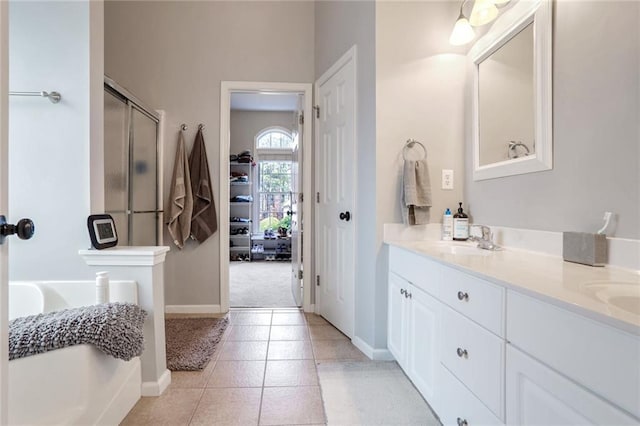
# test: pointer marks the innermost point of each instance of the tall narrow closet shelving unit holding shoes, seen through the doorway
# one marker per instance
(240, 244)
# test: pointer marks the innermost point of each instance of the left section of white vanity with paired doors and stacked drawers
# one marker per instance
(429, 338)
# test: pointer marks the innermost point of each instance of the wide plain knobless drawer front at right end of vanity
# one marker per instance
(597, 356)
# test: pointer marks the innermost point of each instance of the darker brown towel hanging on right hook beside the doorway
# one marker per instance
(204, 221)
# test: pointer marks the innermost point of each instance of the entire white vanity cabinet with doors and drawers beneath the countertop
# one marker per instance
(483, 353)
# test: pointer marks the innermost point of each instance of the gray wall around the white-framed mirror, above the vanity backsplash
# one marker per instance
(596, 136)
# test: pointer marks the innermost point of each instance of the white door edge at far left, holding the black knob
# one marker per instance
(4, 208)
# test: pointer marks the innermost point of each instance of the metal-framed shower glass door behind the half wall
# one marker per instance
(131, 167)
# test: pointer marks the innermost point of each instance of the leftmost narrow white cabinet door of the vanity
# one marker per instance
(397, 319)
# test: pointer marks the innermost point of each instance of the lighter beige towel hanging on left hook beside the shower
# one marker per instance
(180, 197)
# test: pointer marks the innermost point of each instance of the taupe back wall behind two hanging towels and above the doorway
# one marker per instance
(173, 56)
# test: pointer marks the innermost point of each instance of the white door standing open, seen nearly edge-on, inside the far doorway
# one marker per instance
(296, 212)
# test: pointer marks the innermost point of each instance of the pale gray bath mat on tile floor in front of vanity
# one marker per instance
(371, 393)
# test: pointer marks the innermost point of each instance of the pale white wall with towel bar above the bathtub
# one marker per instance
(49, 143)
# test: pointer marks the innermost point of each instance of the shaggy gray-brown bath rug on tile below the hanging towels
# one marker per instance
(191, 342)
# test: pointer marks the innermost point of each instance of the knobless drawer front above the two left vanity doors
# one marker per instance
(418, 270)
